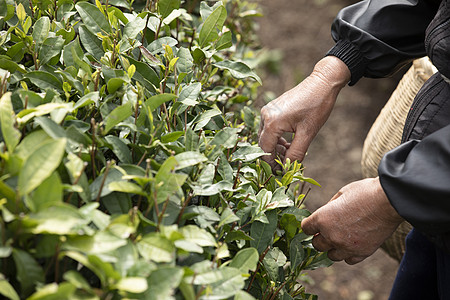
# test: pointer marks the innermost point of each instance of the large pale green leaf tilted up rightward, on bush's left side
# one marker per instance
(40, 165)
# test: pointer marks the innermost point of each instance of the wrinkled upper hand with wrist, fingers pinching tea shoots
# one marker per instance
(302, 110)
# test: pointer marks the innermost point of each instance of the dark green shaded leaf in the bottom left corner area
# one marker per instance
(29, 273)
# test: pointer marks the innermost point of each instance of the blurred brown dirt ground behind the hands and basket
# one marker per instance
(299, 30)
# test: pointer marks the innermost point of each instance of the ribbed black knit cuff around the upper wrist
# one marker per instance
(352, 57)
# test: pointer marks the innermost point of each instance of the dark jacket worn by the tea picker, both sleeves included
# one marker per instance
(376, 38)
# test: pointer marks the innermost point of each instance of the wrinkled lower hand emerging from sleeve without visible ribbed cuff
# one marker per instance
(354, 224)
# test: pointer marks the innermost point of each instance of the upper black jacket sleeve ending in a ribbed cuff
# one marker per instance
(375, 38)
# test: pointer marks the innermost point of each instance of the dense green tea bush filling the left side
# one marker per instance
(129, 165)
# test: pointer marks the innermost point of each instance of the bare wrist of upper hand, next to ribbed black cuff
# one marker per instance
(333, 71)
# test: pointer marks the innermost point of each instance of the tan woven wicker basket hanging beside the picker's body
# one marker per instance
(386, 134)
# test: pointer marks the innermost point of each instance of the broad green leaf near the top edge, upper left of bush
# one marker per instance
(93, 18)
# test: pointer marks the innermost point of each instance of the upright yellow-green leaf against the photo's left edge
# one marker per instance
(11, 135)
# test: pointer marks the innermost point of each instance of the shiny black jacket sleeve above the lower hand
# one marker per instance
(416, 179)
